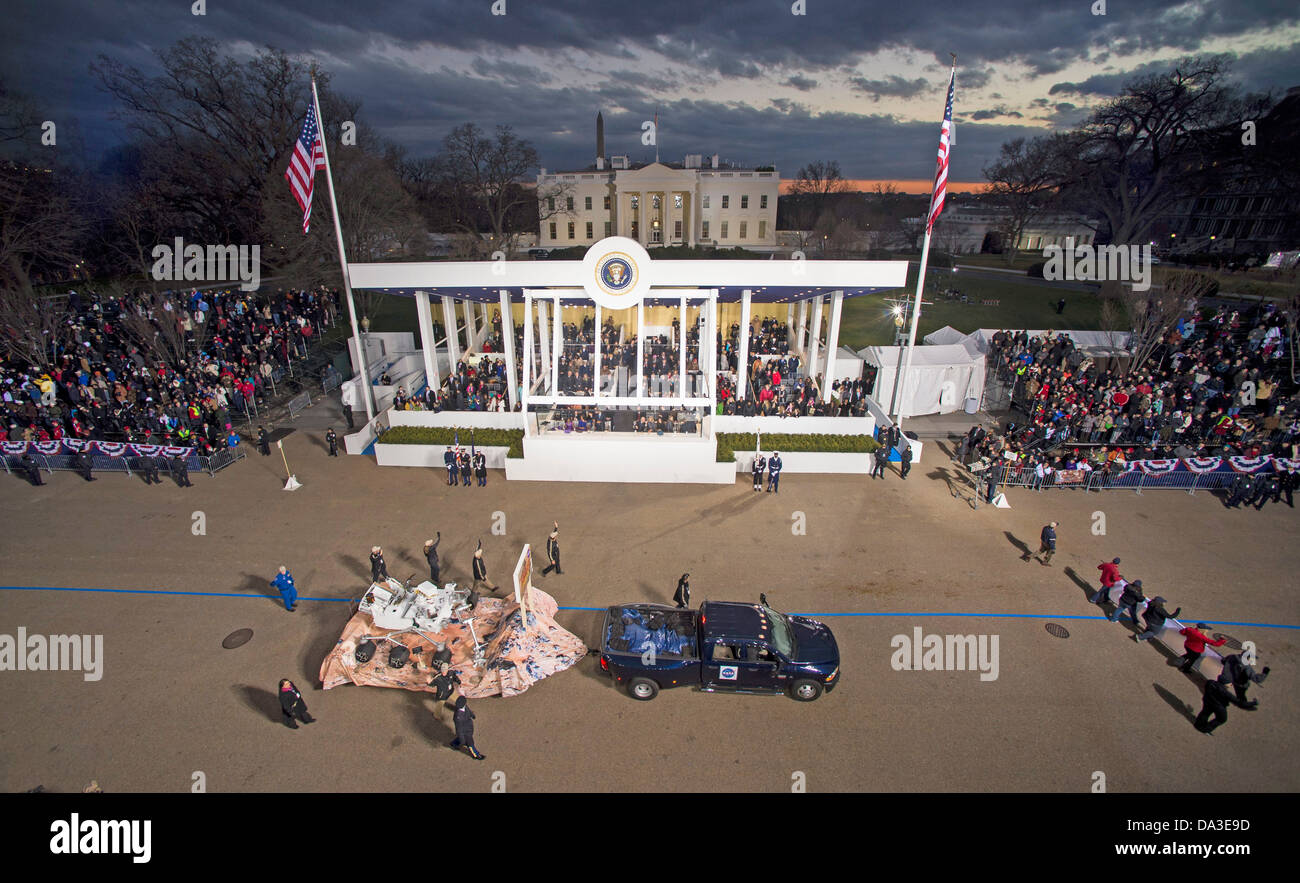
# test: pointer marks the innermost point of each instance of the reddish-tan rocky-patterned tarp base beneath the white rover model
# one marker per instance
(515, 657)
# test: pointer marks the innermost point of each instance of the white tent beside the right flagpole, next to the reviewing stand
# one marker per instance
(941, 382)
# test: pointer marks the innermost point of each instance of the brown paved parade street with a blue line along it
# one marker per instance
(171, 702)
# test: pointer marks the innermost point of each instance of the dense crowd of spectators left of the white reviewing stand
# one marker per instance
(164, 369)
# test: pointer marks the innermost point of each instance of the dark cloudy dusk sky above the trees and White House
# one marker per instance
(857, 81)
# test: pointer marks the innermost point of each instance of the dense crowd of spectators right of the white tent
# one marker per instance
(1214, 387)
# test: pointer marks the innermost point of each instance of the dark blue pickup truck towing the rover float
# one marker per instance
(725, 647)
